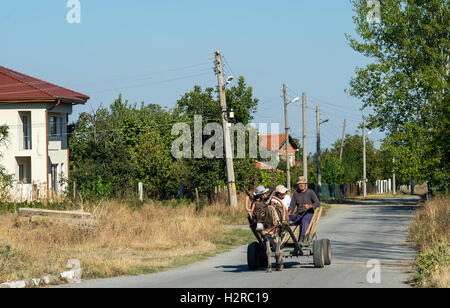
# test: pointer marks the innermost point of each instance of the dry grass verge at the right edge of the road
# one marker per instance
(430, 232)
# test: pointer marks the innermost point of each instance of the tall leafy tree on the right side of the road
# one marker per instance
(405, 88)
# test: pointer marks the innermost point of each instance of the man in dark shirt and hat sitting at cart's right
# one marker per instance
(306, 201)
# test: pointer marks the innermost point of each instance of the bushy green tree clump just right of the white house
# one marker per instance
(114, 149)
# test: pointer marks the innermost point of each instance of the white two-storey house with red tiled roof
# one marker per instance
(37, 114)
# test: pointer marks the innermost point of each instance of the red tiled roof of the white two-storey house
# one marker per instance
(15, 86)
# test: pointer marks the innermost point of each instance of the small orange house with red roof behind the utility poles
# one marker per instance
(276, 142)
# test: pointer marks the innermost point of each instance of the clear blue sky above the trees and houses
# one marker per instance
(155, 51)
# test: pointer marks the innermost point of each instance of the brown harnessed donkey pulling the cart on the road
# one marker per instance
(267, 218)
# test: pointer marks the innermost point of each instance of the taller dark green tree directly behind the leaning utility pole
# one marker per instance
(205, 173)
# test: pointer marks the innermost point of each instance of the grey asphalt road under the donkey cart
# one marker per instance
(358, 233)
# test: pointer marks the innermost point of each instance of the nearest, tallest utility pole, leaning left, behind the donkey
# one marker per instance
(232, 198)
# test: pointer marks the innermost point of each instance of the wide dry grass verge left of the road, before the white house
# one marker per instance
(125, 241)
